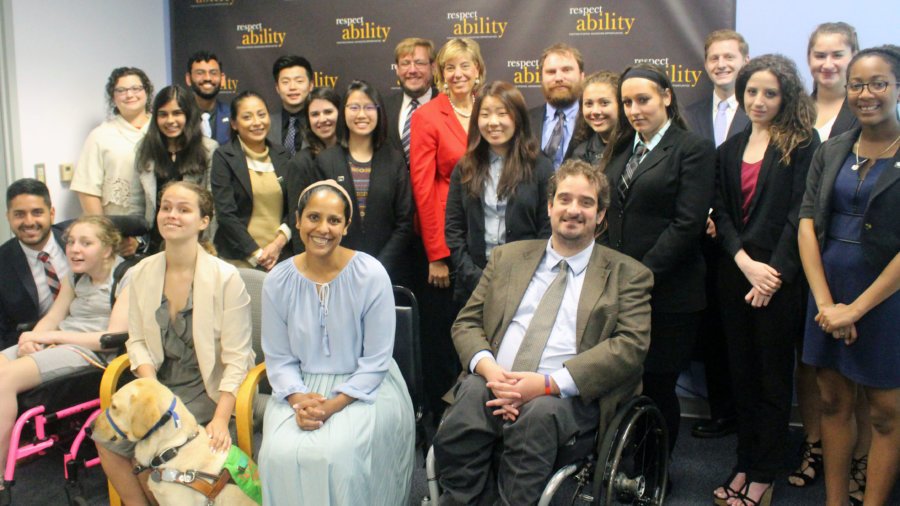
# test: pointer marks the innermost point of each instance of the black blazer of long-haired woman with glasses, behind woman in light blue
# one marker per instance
(387, 228)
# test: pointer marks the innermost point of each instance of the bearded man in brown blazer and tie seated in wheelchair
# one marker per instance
(552, 340)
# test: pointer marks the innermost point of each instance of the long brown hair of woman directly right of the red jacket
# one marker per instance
(518, 166)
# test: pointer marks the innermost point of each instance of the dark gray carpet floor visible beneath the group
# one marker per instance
(697, 468)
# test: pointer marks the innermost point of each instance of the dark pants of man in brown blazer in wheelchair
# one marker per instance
(465, 443)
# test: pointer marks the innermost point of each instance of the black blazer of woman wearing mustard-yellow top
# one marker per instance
(233, 196)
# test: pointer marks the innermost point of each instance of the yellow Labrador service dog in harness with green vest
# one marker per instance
(168, 441)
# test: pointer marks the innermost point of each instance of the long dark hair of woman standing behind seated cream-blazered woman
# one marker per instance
(153, 152)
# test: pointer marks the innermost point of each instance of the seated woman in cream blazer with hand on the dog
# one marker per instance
(189, 327)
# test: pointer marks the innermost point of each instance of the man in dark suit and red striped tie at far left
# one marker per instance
(33, 264)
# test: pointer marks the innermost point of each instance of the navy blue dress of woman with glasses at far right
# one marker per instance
(874, 359)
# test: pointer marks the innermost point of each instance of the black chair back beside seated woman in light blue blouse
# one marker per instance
(407, 351)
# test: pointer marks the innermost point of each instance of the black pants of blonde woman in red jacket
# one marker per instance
(437, 311)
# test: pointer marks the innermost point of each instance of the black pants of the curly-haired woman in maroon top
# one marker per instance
(761, 355)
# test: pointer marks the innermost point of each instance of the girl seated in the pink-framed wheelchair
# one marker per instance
(67, 338)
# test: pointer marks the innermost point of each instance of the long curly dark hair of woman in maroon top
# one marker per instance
(793, 124)
